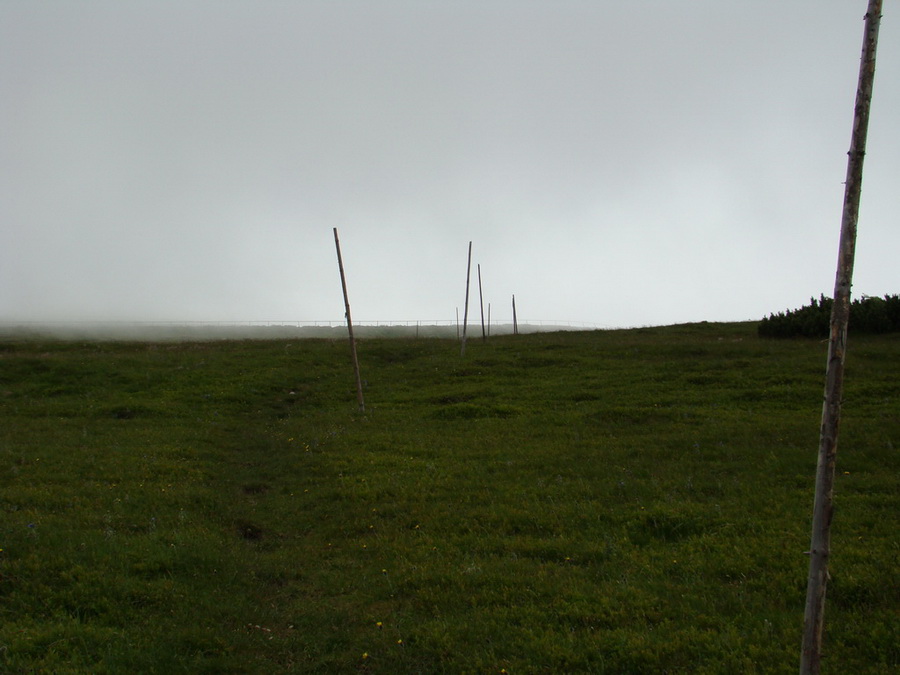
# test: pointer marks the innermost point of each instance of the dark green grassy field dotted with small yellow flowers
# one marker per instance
(600, 502)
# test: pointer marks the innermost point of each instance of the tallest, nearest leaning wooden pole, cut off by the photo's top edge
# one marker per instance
(823, 507)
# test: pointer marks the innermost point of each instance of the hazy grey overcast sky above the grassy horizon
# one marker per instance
(621, 163)
